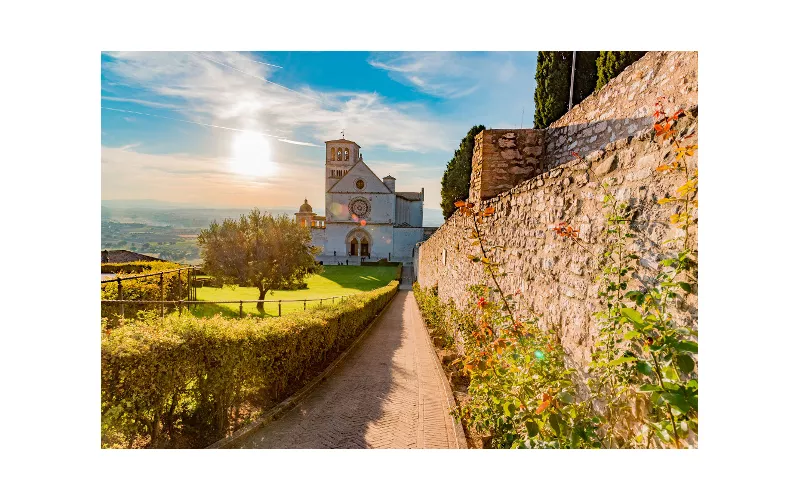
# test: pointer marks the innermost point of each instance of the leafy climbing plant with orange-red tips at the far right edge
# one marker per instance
(644, 365)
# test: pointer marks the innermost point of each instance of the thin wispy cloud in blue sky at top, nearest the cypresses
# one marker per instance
(449, 75)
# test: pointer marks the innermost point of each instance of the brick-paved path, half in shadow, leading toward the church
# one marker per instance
(388, 393)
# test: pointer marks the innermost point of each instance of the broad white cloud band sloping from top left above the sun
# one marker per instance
(234, 91)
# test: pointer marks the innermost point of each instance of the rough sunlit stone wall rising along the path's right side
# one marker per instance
(557, 277)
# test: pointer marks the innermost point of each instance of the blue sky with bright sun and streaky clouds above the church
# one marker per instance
(245, 129)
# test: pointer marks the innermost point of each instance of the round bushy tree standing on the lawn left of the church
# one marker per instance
(258, 250)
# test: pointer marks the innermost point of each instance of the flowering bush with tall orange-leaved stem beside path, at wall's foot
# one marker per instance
(521, 392)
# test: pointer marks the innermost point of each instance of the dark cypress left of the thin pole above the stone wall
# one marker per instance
(552, 87)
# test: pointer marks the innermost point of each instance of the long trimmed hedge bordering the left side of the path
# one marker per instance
(184, 376)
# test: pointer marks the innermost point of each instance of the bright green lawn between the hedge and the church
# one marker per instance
(334, 281)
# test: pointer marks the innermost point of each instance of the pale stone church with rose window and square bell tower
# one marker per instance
(365, 219)
